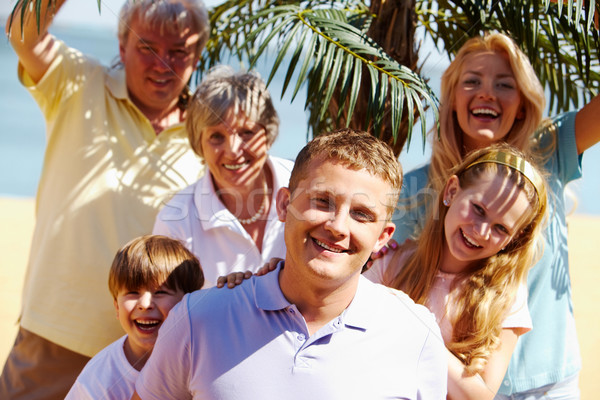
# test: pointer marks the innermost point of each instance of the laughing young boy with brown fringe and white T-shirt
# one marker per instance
(149, 275)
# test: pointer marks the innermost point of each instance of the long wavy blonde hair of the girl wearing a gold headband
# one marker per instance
(488, 289)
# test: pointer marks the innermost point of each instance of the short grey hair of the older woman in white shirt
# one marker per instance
(223, 90)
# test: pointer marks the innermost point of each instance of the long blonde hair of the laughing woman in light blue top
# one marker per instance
(447, 149)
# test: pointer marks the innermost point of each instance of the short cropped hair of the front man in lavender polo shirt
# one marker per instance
(356, 150)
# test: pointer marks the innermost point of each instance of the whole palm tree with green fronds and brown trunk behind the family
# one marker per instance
(328, 48)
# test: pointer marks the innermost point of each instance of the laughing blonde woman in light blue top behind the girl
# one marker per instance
(490, 94)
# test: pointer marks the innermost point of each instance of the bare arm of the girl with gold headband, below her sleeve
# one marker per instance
(486, 384)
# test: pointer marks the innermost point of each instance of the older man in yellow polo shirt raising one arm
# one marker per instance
(117, 150)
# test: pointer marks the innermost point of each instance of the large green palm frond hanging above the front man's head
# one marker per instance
(328, 50)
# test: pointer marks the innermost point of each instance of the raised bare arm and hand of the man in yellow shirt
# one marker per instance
(33, 46)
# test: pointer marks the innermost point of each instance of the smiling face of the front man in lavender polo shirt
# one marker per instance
(333, 221)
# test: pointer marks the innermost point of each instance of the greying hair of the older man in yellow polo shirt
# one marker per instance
(171, 16)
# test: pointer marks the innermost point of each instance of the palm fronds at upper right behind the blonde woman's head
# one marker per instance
(560, 39)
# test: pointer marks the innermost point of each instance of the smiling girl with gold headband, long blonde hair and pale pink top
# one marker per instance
(469, 266)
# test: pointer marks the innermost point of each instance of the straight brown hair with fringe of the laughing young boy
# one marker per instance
(153, 260)
